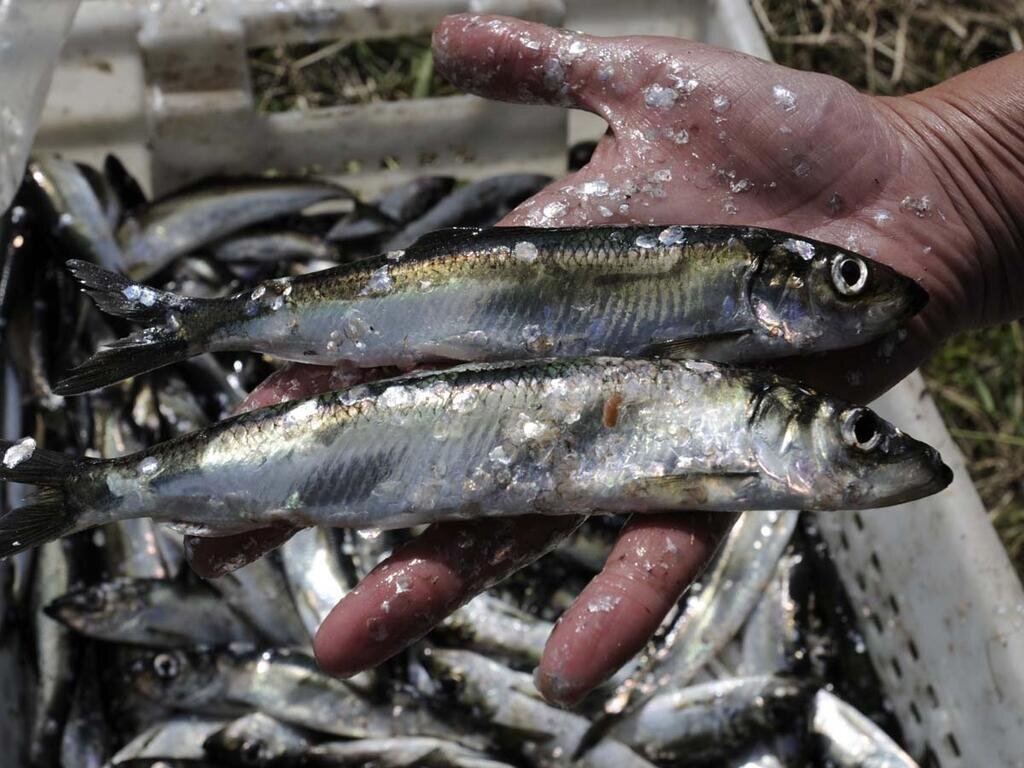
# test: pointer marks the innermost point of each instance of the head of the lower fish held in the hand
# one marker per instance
(822, 453)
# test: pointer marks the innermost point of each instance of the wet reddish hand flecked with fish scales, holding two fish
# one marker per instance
(703, 136)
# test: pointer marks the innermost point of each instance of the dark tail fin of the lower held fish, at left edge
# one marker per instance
(49, 517)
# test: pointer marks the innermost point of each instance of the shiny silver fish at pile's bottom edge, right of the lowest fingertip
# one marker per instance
(712, 720)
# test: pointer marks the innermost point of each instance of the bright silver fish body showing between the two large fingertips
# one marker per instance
(493, 627)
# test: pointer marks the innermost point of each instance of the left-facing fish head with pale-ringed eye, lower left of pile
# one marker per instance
(178, 678)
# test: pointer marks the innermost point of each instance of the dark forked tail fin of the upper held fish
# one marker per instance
(181, 329)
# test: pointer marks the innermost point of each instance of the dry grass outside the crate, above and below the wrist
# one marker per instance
(892, 48)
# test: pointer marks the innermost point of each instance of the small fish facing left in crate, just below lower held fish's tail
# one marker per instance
(151, 613)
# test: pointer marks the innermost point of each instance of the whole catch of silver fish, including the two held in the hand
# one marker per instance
(600, 378)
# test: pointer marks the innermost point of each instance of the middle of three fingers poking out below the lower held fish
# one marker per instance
(424, 581)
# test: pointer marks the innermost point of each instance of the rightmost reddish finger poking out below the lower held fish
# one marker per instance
(656, 559)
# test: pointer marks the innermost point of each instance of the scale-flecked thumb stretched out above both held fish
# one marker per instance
(516, 61)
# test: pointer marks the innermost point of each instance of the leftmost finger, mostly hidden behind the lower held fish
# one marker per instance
(214, 558)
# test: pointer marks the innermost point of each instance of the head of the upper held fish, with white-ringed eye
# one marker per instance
(813, 295)
